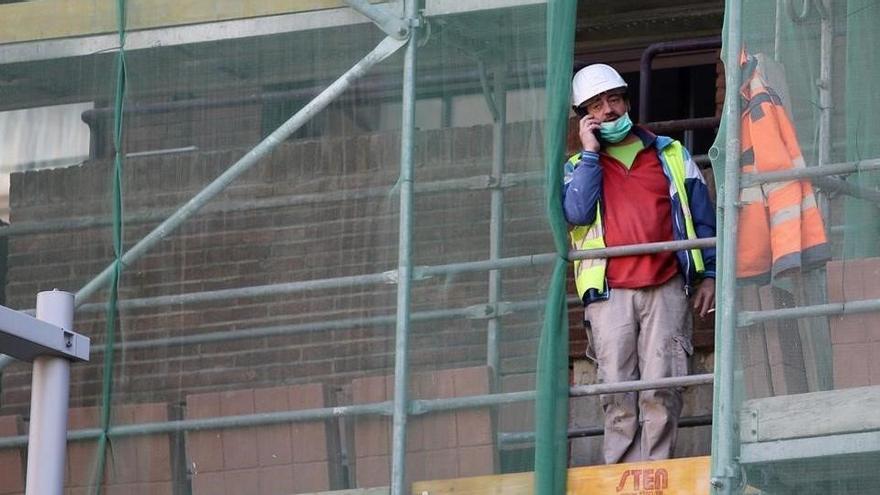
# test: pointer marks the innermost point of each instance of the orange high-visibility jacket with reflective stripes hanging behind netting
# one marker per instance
(780, 226)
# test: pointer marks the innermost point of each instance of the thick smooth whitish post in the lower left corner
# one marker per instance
(50, 391)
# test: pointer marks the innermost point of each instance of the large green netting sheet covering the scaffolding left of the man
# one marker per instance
(261, 264)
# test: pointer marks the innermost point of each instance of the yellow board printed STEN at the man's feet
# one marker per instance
(688, 476)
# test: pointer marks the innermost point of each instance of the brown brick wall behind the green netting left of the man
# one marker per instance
(278, 245)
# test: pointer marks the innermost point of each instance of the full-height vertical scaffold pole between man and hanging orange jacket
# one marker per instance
(724, 442)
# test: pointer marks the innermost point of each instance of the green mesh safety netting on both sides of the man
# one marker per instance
(258, 299)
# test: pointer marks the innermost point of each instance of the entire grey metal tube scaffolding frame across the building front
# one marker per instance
(404, 30)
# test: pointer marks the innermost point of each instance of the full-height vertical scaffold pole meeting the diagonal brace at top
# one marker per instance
(404, 264)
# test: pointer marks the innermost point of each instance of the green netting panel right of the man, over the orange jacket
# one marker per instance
(796, 364)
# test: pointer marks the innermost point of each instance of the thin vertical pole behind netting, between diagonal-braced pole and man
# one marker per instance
(496, 220)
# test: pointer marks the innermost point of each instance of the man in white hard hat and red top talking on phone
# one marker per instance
(629, 186)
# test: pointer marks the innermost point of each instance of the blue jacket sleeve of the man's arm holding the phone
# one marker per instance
(581, 189)
